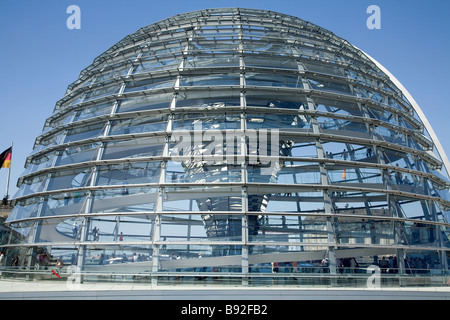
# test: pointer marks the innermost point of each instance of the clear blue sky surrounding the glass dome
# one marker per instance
(40, 56)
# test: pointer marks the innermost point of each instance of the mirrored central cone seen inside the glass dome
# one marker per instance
(227, 226)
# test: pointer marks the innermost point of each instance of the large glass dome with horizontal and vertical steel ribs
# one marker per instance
(347, 134)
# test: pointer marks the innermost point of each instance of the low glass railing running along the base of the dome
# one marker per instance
(370, 277)
